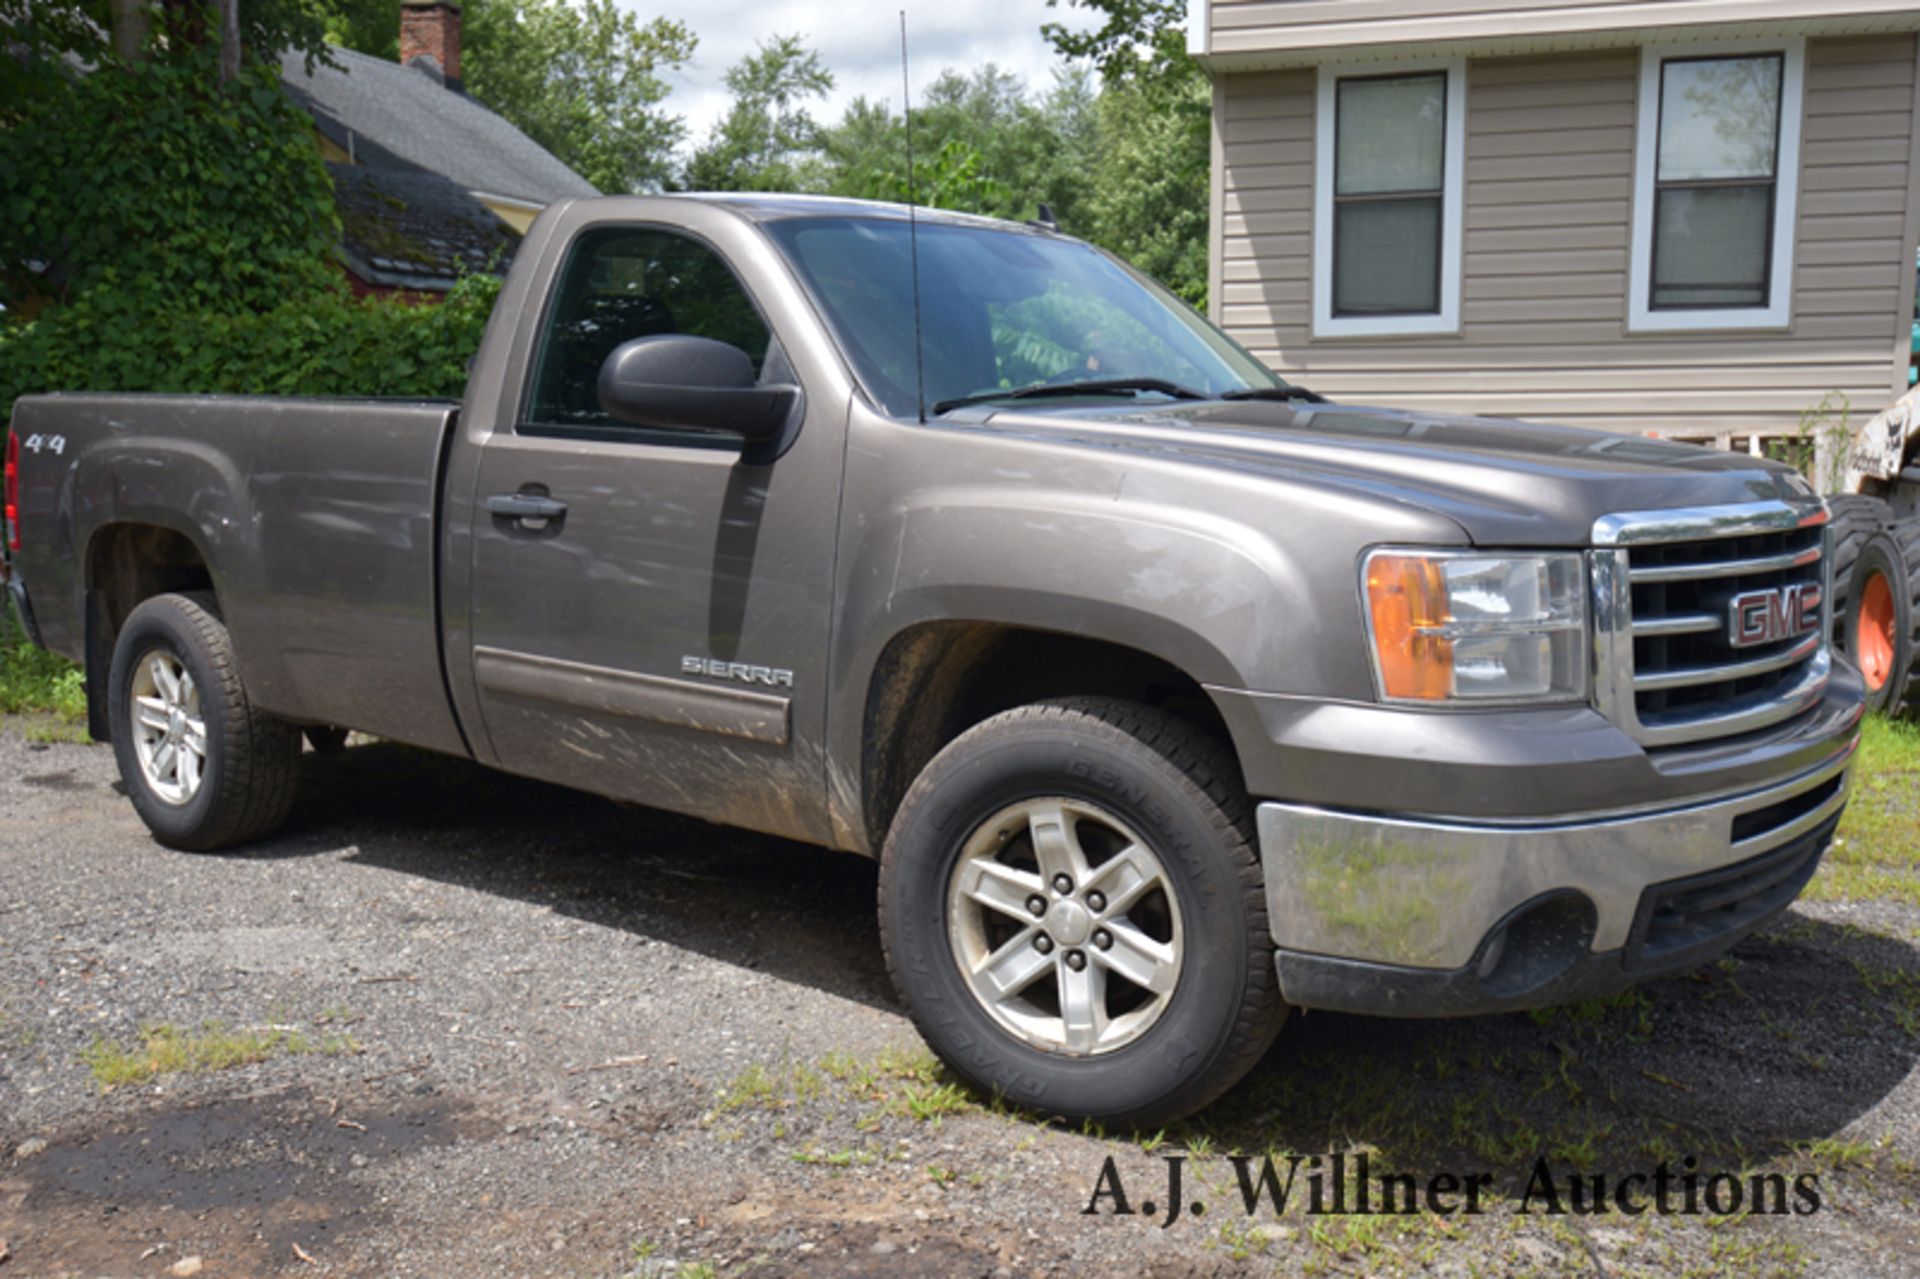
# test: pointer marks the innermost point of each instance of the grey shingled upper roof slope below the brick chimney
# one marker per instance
(410, 118)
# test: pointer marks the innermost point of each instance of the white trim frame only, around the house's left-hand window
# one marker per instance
(1452, 205)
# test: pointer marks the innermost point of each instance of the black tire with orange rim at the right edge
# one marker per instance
(1873, 598)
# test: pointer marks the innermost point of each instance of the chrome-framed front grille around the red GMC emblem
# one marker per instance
(1666, 589)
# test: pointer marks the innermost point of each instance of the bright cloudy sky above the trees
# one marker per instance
(859, 41)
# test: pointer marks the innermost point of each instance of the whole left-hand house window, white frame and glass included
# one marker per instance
(1387, 201)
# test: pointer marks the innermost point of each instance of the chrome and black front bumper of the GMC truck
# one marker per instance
(1412, 917)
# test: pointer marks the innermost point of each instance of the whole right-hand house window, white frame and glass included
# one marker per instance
(1714, 212)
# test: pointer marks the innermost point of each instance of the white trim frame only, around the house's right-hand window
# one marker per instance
(1779, 310)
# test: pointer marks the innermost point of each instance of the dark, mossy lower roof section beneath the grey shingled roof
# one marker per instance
(416, 229)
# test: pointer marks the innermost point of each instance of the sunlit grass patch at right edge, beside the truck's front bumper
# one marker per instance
(1877, 856)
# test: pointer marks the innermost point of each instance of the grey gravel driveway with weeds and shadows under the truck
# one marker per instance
(496, 1028)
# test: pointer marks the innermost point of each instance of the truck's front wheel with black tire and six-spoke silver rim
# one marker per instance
(1097, 777)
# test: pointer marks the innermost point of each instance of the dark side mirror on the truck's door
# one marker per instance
(679, 383)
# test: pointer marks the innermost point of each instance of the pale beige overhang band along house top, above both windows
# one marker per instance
(1274, 28)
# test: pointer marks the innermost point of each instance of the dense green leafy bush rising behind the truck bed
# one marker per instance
(166, 233)
